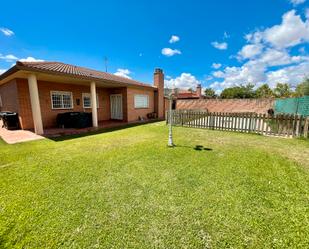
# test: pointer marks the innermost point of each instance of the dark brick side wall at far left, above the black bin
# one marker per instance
(8, 95)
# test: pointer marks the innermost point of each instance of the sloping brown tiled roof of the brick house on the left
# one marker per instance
(60, 68)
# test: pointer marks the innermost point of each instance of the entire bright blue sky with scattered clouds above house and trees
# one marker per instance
(218, 43)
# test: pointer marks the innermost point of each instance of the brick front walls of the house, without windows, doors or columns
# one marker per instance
(49, 115)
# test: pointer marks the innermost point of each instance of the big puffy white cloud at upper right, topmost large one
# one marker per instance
(292, 31)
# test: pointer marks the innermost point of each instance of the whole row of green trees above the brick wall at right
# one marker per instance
(282, 90)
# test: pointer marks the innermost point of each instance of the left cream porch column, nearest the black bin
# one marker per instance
(35, 104)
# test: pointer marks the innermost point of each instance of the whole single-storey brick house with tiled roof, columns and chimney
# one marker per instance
(39, 91)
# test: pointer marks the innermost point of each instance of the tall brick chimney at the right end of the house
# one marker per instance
(158, 81)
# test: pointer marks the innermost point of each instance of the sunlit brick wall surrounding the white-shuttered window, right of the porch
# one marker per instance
(133, 113)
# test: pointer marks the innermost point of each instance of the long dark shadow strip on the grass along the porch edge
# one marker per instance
(99, 131)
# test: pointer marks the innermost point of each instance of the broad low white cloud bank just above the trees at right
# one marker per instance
(294, 70)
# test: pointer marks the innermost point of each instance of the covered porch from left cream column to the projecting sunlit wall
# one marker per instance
(106, 103)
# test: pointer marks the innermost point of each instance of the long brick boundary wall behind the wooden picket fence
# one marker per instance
(227, 105)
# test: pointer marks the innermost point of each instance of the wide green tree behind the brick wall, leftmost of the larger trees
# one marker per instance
(239, 92)
